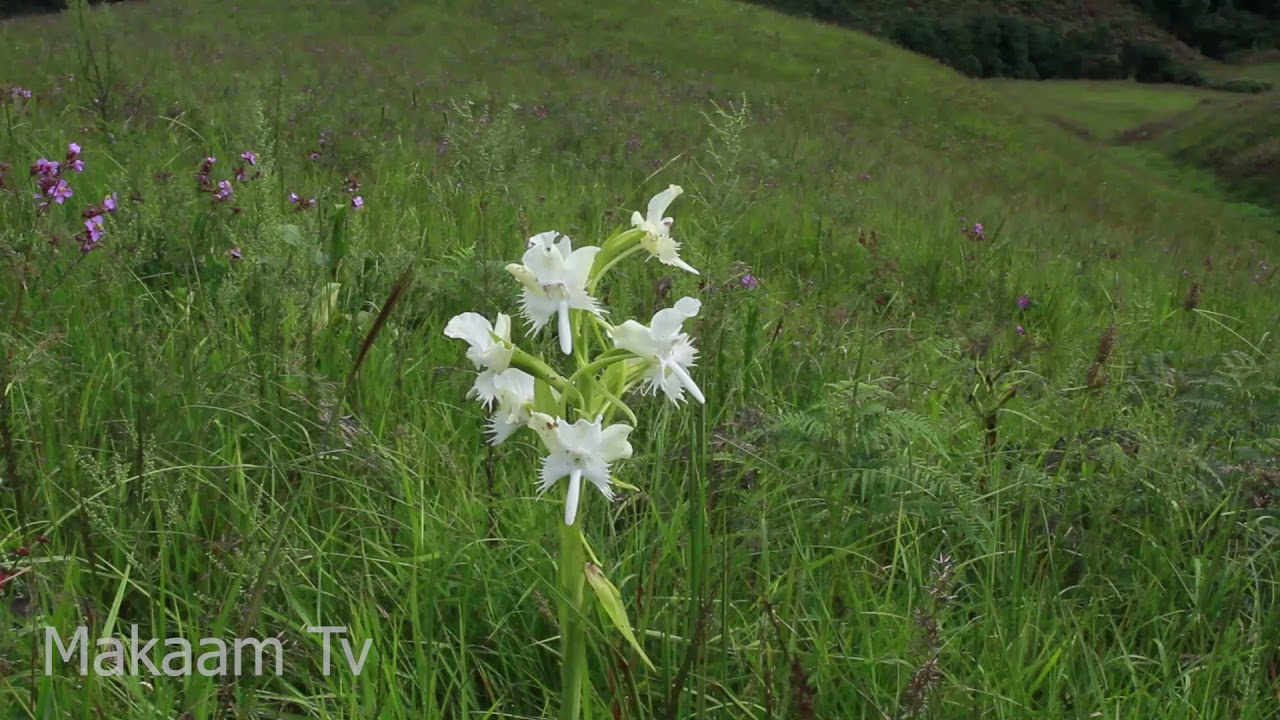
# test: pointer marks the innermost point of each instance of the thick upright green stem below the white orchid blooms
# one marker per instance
(573, 585)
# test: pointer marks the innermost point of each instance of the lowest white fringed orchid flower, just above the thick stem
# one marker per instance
(579, 450)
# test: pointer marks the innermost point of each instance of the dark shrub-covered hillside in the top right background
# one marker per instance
(1162, 42)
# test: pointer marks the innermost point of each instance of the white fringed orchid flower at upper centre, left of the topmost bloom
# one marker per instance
(555, 277)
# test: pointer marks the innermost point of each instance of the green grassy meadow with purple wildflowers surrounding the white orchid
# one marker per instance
(1028, 470)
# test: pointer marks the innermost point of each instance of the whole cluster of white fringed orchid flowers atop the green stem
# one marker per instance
(524, 391)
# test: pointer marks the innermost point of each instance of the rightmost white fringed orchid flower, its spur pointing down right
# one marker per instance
(668, 352)
